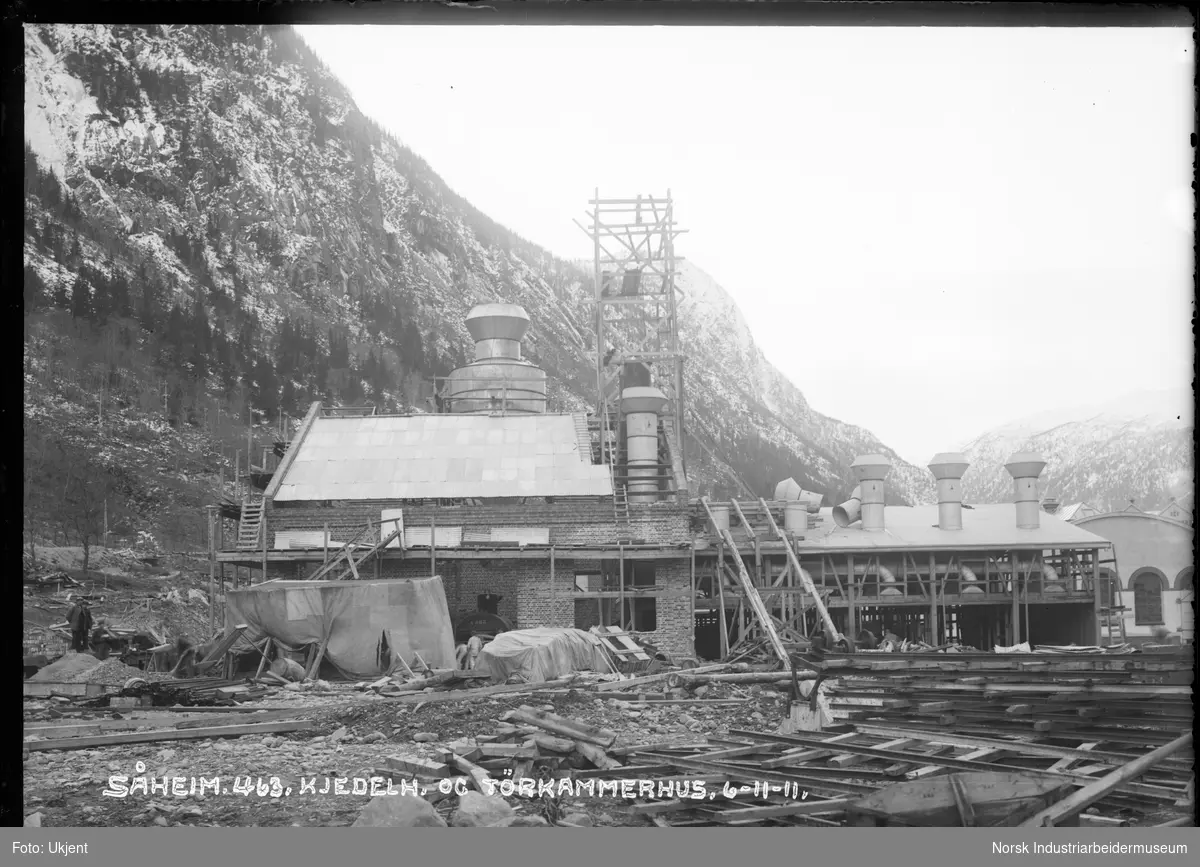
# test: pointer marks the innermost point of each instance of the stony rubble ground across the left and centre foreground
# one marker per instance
(352, 736)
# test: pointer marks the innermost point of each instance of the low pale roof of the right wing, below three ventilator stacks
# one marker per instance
(983, 528)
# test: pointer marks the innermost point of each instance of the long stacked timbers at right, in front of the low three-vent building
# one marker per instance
(1135, 701)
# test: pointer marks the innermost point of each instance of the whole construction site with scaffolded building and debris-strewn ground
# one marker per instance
(500, 593)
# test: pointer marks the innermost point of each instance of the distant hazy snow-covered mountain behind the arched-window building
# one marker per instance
(1137, 447)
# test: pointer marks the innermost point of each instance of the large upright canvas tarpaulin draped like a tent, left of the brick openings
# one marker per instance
(365, 623)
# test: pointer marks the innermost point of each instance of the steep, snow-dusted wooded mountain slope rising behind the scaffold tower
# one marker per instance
(208, 204)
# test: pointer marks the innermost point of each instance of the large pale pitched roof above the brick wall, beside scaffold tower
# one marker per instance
(446, 457)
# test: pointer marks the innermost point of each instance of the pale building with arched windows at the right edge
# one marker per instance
(1153, 571)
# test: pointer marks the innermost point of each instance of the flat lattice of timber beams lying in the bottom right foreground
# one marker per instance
(817, 779)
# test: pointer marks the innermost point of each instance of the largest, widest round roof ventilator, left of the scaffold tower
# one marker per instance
(499, 381)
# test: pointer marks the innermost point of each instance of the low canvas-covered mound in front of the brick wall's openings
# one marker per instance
(542, 655)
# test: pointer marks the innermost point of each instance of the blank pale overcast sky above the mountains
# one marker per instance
(931, 231)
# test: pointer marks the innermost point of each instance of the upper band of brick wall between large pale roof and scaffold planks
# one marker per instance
(571, 522)
